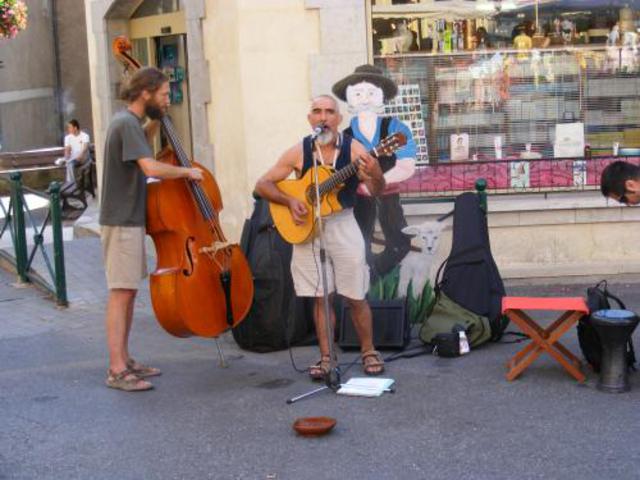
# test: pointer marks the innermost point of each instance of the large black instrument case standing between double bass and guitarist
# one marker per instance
(277, 318)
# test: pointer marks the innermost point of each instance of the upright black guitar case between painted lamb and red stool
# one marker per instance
(470, 277)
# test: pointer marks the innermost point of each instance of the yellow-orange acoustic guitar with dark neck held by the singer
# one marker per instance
(330, 183)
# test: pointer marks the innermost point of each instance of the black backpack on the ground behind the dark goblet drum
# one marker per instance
(598, 299)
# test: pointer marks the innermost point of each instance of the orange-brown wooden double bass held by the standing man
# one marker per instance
(202, 284)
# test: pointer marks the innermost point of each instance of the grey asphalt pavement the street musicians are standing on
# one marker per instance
(450, 418)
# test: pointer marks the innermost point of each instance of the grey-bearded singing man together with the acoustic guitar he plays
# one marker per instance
(343, 164)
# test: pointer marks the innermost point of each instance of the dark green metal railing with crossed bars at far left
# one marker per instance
(15, 217)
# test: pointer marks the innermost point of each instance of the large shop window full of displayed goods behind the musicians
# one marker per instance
(491, 79)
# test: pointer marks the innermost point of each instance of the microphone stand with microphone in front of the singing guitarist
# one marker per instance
(332, 378)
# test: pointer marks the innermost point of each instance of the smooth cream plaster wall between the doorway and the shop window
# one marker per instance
(258, 54)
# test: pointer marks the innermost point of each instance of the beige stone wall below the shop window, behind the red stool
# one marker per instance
(550, 235)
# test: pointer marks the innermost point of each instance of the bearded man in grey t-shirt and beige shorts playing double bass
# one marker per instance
(128, 161)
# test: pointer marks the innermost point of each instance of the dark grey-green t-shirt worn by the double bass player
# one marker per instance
(124, 190)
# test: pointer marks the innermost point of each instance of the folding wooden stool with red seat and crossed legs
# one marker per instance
(544, 339)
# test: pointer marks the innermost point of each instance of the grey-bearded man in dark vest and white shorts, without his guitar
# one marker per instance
(348, 272)
